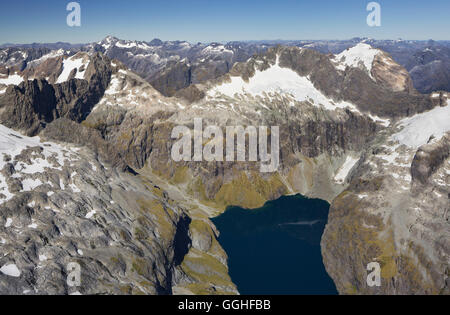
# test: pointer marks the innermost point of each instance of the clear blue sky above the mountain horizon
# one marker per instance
(44, 21)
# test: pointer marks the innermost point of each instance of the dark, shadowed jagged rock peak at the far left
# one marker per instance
(32, 104)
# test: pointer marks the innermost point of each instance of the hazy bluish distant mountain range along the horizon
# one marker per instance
(171, 66)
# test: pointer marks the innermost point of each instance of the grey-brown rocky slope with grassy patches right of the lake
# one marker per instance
(390, 216)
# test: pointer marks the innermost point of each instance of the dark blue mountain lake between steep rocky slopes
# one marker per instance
(276, 249)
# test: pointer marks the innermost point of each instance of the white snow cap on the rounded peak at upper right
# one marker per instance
(360, 56)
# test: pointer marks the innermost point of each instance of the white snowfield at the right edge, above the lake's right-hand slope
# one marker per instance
(418, 129)
